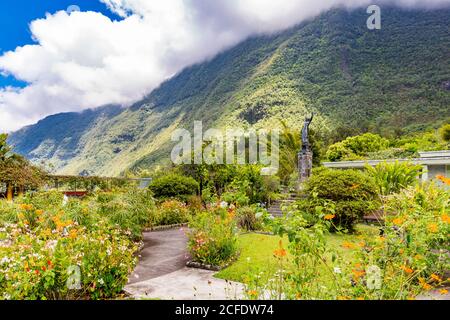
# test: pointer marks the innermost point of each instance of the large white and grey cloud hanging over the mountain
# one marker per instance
(83, 59)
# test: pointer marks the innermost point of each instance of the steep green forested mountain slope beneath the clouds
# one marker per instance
(390, 81)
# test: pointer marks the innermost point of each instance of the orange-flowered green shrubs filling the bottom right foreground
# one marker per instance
(408, 257)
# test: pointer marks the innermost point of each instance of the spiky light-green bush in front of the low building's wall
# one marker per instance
(393, 177)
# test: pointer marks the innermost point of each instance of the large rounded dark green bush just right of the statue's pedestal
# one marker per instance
(352, 192)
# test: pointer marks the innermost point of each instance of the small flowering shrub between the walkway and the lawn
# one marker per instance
(213, 237)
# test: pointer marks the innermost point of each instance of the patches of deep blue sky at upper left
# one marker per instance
(15, 16)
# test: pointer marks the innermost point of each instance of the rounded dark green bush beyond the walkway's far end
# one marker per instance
(174, 186)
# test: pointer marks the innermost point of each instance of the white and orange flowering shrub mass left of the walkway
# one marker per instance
(45, 256)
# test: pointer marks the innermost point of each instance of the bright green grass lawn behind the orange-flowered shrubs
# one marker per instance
(257, 253)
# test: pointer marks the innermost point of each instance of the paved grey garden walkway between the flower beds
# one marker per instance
(161, 272)
